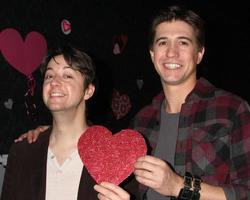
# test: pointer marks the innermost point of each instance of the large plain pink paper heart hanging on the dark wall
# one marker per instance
(25, 56)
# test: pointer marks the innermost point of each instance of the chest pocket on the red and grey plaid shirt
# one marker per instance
(210, 151)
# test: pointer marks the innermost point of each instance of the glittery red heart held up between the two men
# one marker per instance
(110, 157)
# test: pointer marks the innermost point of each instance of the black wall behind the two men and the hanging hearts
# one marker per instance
(94, 24)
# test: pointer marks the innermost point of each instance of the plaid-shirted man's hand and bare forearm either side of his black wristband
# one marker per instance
(156, 174)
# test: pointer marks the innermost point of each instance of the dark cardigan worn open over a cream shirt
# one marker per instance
(25, 176)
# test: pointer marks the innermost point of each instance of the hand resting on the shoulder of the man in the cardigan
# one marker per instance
(32, 135)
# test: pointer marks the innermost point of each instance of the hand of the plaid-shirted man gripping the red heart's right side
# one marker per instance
(156, 174)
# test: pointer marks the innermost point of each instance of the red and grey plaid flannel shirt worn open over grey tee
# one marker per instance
(213, 137)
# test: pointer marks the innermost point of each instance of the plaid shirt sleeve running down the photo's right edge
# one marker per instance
(240, 156)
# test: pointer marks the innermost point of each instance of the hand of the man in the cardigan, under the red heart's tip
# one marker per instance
(110, 191)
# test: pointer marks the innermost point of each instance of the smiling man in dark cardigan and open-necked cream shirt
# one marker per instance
(51, 168)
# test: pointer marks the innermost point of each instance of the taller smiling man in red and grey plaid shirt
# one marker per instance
(199, 134)
